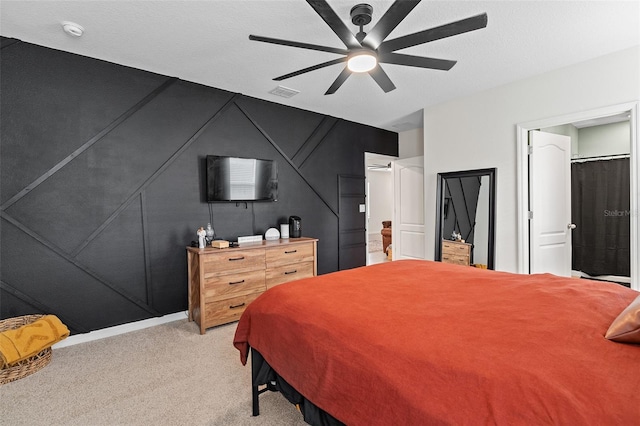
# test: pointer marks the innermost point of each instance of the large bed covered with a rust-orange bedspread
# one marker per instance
(420, 342)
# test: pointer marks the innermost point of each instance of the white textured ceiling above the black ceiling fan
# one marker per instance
(207, 42)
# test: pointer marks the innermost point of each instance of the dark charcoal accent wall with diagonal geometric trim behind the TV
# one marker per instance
(102, 182)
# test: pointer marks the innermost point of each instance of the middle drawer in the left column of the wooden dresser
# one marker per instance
(234, 284)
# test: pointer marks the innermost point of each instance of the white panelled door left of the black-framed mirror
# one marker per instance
(407, 225)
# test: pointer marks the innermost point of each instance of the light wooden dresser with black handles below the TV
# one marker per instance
(222, 282)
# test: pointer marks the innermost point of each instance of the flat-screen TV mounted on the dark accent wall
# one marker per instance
(241, 179)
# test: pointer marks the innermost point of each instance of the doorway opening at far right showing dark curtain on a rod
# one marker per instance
(600, 197)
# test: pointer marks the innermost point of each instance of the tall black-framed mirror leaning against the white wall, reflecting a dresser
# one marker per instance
(465, 217)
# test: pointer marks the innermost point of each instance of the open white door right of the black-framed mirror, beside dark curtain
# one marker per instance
(550, 203)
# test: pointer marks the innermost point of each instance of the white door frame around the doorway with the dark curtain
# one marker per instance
(522, 183)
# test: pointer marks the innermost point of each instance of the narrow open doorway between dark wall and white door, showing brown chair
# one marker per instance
(379, 205)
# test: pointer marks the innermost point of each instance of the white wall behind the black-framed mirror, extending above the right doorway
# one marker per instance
(479, 131)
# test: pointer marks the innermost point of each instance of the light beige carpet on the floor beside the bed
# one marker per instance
(163, 375)
